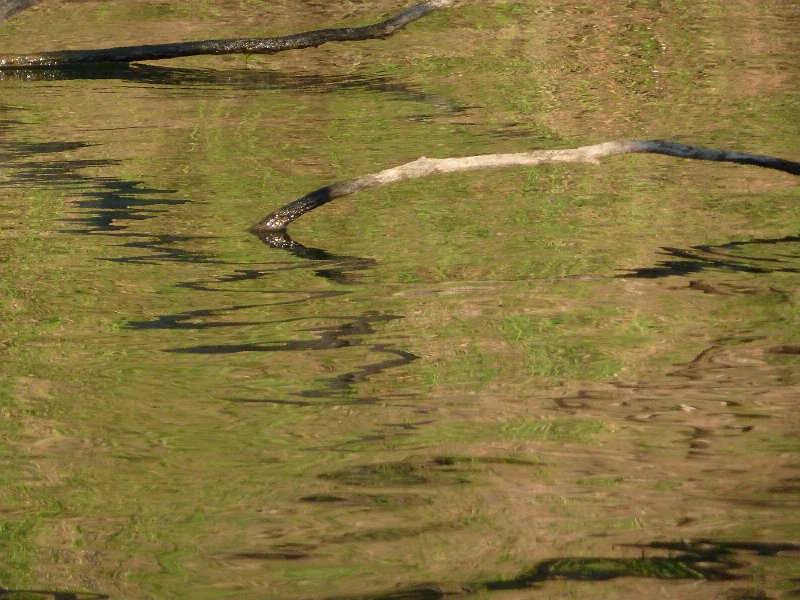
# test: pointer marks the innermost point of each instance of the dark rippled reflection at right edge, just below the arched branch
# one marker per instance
(768, 255)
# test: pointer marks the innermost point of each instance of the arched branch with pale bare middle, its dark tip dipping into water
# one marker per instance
(278, 221)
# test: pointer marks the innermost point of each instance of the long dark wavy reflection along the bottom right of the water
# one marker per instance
(701, 560)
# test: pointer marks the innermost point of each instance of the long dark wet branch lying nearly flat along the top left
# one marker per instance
(297, 41)
